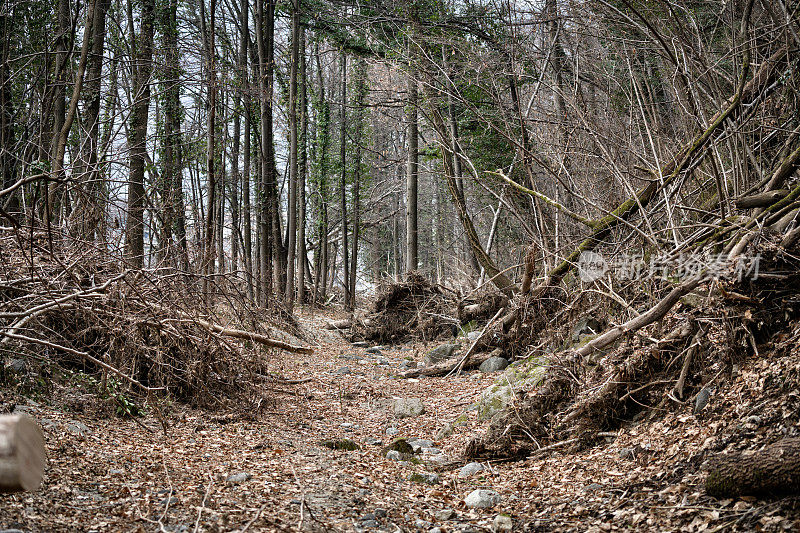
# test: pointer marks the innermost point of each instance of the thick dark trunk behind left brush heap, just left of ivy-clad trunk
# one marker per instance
(142, 68)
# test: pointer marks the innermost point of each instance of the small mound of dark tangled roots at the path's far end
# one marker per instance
(412, 308)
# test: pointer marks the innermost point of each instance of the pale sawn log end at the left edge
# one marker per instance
(22, 454)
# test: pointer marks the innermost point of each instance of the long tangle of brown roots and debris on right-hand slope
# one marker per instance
(666, 363)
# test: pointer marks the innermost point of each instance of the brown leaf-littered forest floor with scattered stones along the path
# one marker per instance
(239, 472)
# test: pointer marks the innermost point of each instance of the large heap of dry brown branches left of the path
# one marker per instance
(77, 308)
